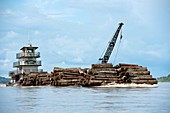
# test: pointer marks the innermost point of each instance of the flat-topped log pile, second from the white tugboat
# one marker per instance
(67, 76)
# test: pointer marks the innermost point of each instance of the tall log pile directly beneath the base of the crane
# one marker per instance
(100, 74)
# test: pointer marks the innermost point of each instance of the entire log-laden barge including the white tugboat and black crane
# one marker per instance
(28, 74)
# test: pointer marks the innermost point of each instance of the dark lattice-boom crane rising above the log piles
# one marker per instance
(111, 45)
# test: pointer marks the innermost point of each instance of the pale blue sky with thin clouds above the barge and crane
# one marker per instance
(75, 33)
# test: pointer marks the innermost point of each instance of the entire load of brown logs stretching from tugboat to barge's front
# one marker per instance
(99, 74)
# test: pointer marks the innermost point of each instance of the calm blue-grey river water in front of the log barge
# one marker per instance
(85, 100)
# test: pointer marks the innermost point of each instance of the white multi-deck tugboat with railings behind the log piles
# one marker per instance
(27, 62)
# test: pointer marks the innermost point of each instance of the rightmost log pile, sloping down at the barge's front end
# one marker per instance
(135, 74)
